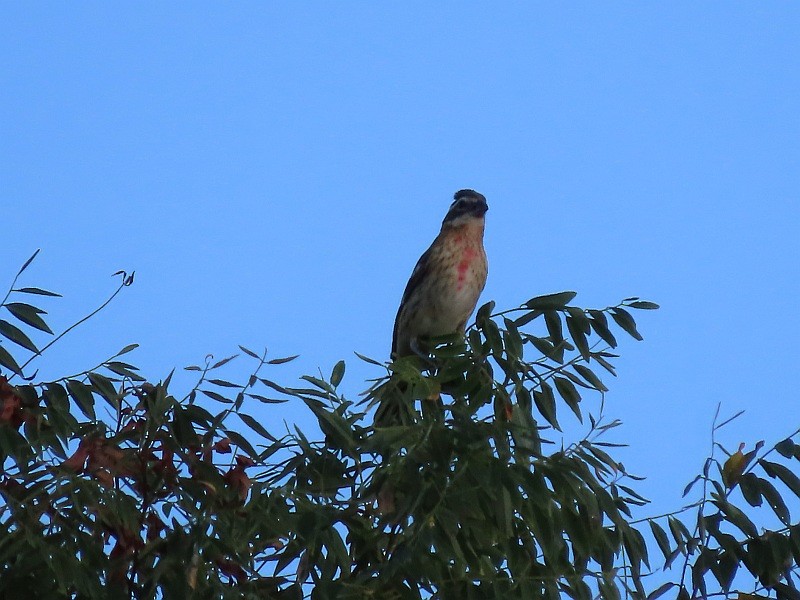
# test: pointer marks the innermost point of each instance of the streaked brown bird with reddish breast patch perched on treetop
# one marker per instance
(448, 279)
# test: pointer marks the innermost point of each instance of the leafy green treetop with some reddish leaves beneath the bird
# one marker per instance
(188, 495)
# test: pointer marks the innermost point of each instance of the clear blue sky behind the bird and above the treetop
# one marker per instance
(272, 171)
